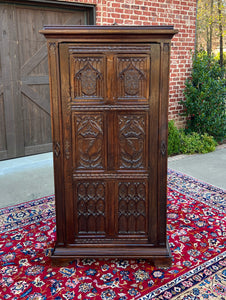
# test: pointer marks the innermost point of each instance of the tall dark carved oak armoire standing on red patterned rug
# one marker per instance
(109, 99)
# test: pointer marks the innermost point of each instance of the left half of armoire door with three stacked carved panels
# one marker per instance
(85, 134)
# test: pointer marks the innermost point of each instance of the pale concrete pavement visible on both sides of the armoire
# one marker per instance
(28, 178)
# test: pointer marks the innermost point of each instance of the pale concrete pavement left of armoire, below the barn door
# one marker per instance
(26, 178)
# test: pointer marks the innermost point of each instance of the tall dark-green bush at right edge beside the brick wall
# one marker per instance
(205, 97)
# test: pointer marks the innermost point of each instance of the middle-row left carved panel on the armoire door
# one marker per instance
(90, 137)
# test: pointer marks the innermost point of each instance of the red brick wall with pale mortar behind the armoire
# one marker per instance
(181, 14)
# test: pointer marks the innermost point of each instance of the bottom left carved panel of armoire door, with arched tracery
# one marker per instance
(91, 207)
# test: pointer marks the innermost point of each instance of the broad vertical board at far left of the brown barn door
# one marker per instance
(10, 71)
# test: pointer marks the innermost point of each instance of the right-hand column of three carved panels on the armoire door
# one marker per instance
(131, 123)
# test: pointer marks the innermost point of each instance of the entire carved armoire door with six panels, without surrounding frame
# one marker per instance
(106, 124)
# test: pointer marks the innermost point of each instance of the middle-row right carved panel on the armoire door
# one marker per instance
(131, 141)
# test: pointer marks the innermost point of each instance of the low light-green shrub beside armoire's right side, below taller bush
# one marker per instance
(181, 142)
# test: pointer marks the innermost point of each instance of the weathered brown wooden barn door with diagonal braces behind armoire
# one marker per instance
(25, 126)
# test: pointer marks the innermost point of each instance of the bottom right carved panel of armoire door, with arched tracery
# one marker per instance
(131, 208)
